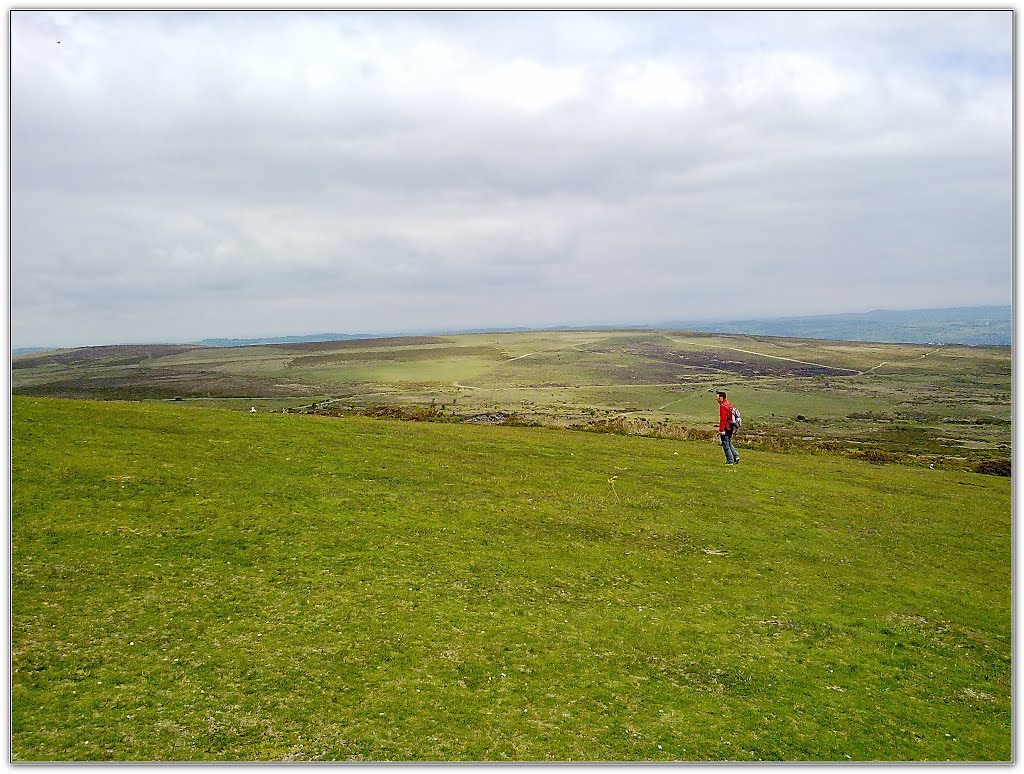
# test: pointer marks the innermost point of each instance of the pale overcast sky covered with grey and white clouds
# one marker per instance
(182, 176)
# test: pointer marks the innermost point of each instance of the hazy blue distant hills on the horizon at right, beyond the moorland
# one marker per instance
(977, 326)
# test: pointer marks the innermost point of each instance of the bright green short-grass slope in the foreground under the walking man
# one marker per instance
(196, 584)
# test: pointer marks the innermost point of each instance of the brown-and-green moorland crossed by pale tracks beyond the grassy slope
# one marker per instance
(928, 405)
